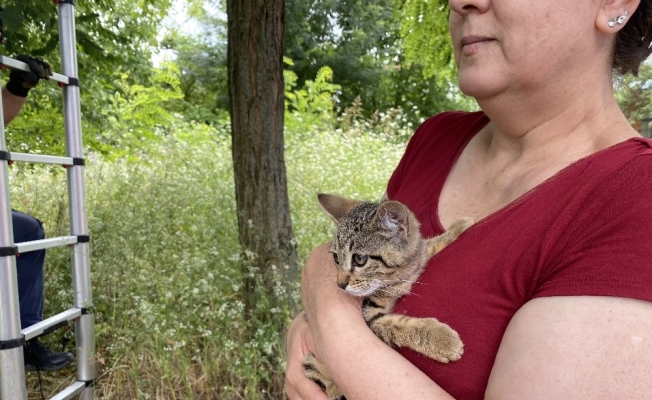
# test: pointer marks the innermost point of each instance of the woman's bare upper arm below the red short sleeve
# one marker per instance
(576, 348)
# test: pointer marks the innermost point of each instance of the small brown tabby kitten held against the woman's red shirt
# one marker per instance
(379, 254)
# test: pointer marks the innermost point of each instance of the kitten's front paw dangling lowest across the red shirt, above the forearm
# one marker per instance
(440, 342)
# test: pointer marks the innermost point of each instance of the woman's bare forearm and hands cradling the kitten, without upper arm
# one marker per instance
(362, 365)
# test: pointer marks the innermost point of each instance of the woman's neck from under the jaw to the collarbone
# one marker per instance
(553, 127)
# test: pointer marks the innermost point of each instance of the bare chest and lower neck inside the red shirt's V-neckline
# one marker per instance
(499, 165)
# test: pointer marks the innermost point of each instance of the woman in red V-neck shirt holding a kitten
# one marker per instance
(551, 289)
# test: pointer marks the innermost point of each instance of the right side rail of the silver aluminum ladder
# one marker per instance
(85, 325)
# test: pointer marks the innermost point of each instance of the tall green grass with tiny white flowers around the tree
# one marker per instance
(166, 283)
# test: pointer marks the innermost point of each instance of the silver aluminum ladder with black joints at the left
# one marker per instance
(12, 338)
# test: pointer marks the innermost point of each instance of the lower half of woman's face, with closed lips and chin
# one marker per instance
(507, 45)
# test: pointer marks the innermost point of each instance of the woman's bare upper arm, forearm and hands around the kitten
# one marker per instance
(573, 347)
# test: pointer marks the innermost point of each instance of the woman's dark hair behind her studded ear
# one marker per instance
(634, 41)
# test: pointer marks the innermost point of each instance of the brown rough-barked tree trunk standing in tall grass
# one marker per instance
(256, 95)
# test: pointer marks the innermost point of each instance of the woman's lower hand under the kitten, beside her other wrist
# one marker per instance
(299, 342)
